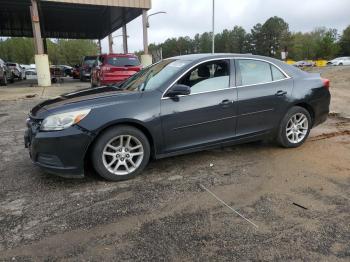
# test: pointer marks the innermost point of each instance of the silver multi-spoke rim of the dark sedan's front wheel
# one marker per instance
(122, 155)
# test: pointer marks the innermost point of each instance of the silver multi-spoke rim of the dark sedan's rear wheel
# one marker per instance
(297, 128)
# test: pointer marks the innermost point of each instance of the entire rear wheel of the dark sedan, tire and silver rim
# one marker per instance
(297, 134)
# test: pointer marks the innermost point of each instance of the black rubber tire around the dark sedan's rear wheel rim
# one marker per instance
(282, 138)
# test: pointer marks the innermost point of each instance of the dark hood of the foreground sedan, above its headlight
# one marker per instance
(85, 98)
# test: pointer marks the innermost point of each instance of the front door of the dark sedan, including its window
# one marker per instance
(207, 115)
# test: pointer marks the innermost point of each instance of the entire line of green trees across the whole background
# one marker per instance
(269, 39)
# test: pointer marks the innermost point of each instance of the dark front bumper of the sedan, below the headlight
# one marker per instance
(58, 152)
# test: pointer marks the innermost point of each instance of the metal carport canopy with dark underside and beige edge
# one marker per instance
(76, 19)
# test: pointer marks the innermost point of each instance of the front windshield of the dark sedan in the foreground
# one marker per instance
(154, 76)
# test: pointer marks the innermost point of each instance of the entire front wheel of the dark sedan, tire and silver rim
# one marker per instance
(119, 157)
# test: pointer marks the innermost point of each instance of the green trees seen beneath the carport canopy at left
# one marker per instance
(69, 52)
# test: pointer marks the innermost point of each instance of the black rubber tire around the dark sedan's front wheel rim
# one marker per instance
(104, 138)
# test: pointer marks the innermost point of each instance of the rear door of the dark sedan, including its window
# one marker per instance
(263, 91)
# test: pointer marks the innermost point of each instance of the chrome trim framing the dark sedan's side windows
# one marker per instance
(226, 58)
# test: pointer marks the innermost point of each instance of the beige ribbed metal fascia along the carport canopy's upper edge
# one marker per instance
(145, 4)
